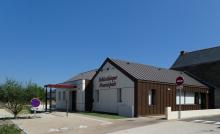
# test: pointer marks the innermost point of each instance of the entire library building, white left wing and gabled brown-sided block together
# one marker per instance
(131, 89)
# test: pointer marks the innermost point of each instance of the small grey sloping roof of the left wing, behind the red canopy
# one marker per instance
(83, 76)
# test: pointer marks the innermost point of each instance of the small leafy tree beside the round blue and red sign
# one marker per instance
(12, 93)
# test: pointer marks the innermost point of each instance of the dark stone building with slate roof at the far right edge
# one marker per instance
(203, 65)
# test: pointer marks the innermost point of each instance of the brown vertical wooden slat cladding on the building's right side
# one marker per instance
(164, 98)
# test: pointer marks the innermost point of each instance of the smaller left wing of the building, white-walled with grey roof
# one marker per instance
(79, 98)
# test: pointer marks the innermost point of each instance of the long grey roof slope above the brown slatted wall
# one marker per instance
(150, 73)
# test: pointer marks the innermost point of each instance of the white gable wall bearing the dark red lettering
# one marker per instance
(108, 95)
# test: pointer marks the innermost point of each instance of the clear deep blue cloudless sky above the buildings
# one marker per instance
(48, 41)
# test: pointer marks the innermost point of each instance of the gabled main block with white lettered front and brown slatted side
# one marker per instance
(133, 89)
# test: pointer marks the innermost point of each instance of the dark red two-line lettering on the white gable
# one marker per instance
(109, 81)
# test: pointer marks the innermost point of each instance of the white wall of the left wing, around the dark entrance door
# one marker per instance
(80, 97)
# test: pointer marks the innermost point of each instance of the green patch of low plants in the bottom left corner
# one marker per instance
(9, 129)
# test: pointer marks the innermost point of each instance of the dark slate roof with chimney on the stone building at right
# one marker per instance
(198, 57)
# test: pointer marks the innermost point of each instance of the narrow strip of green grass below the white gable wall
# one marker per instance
(103, 115)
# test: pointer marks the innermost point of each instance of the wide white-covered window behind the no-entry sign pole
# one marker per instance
(186, 97)
